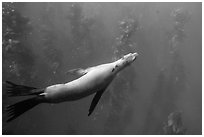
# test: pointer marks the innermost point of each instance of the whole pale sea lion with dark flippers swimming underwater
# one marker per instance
(93, 80)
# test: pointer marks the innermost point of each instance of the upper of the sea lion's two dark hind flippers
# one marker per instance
(21, 90)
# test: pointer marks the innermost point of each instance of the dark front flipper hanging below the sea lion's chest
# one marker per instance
(95, 100)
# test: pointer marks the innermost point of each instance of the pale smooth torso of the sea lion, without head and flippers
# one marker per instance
(94, 80)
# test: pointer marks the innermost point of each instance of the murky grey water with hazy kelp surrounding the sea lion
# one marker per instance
(160, 93)
